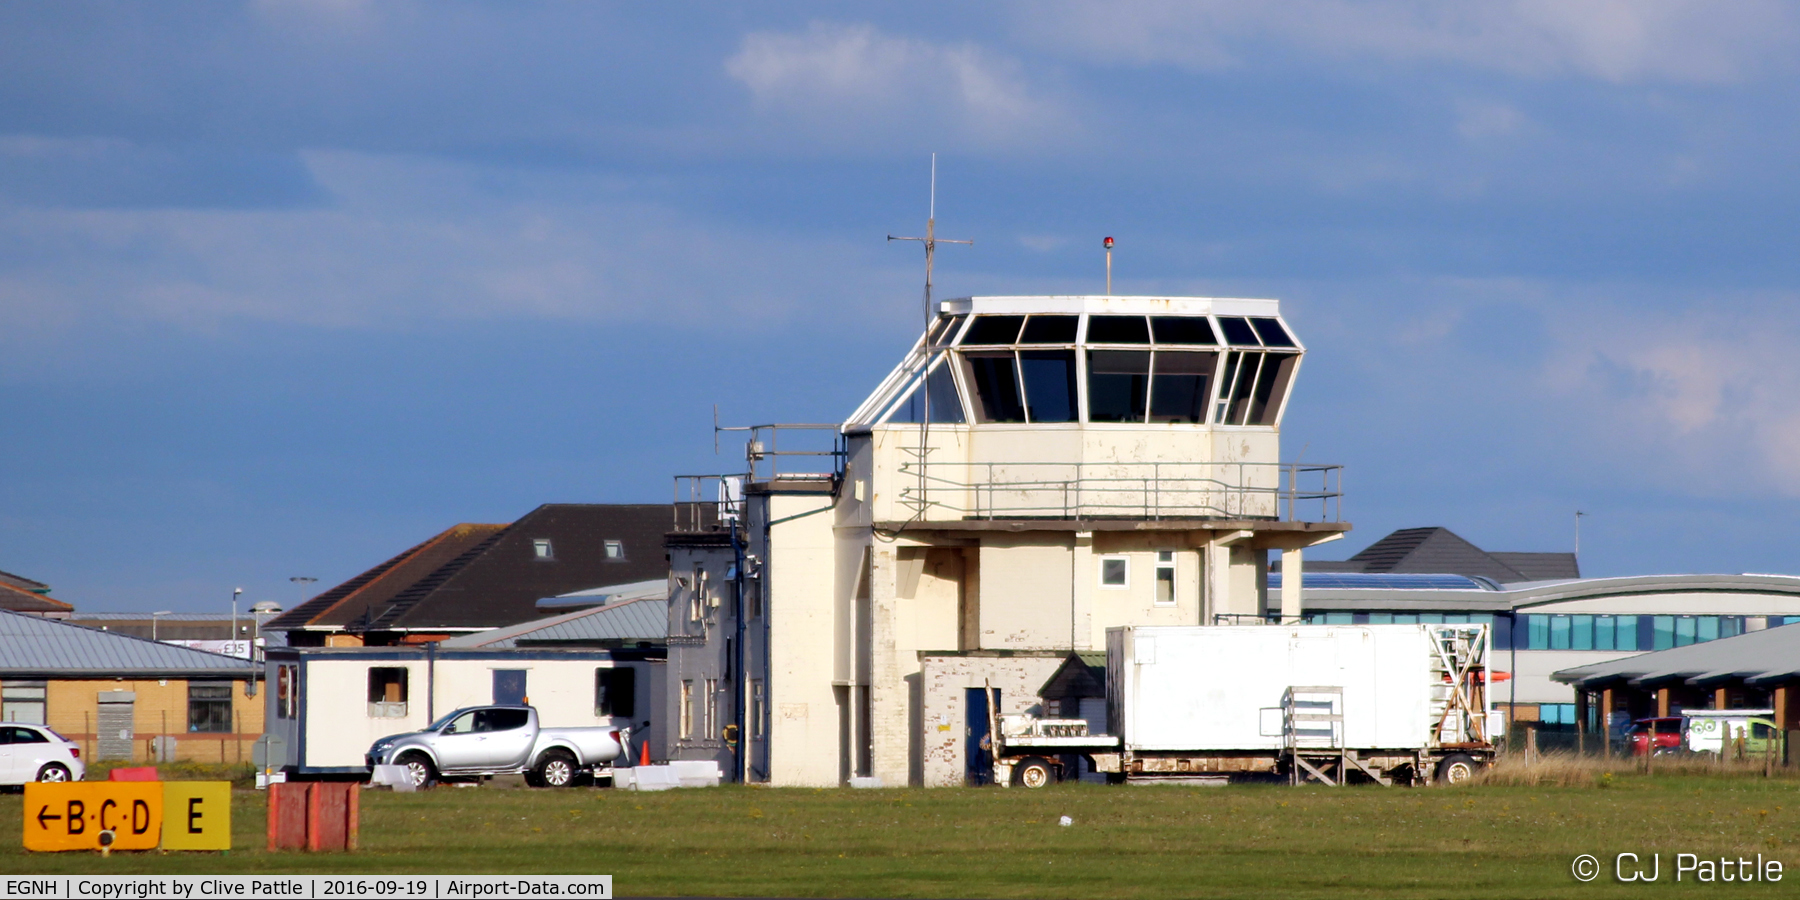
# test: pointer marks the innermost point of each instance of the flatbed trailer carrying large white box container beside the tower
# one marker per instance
(1300, 703)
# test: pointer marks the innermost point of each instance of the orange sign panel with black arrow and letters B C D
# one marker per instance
(75, 816)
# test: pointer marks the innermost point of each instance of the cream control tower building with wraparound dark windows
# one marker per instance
(1034, 472)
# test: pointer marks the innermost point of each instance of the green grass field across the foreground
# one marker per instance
(1489, 840)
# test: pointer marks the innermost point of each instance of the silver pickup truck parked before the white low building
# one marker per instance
(494, 741)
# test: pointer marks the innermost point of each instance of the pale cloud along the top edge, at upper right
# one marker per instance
(1610, 40)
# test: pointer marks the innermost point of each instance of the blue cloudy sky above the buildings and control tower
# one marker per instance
(289, 287)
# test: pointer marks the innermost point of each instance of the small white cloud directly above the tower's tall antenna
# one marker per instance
(852, 84)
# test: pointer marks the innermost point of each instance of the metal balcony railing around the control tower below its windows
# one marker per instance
(1124, 490)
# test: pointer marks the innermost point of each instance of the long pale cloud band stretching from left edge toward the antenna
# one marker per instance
(409, 242)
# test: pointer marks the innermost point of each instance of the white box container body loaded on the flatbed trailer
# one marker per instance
(1221, 688)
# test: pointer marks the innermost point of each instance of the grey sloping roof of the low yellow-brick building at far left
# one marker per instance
(31, 645)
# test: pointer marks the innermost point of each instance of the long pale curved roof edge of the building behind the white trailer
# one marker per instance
(1524, 597)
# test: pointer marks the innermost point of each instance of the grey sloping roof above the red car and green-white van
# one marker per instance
(1758, 658)
